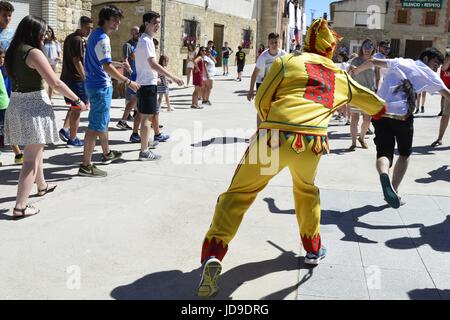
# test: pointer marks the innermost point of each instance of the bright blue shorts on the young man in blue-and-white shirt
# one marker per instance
(99, 113)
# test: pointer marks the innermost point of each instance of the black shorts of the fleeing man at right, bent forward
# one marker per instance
(388, 131)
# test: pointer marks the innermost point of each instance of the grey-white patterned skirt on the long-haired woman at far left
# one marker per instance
(30, 119)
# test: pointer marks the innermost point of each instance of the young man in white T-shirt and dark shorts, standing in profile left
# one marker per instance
(147, 67)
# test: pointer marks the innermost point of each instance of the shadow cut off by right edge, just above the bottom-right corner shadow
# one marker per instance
(436, 236)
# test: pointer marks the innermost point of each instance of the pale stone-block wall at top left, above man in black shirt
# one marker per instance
(68, 14)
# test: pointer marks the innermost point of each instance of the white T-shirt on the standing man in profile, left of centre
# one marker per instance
(145, 50)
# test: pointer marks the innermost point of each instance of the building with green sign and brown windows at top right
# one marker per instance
(410, 25)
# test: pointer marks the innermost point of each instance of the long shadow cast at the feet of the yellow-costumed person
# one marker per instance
(178, 285)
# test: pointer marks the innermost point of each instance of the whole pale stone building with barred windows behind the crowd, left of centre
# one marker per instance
(189, 21)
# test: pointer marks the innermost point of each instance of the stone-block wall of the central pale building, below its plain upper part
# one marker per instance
(175, 14)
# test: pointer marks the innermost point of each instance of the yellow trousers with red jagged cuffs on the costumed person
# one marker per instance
(268, 154)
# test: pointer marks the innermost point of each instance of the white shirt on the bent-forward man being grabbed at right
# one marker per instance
(420, 75)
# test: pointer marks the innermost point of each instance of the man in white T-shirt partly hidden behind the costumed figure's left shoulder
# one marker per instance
(263, 64)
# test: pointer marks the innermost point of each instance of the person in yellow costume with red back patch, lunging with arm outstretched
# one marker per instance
(295, 102)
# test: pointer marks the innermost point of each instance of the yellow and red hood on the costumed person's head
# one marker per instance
(321, 39)
